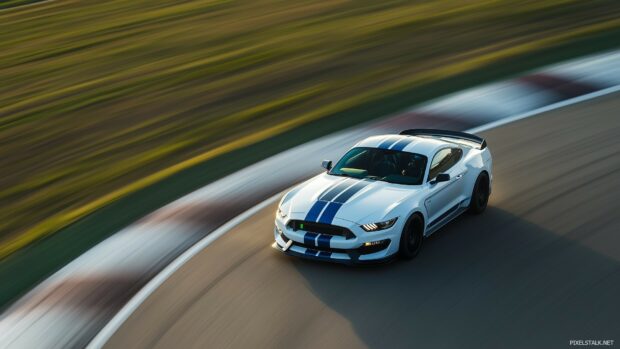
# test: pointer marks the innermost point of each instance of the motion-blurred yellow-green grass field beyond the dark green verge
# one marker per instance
(99, 99)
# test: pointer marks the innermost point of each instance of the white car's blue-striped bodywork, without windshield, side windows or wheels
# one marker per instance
(331, 205)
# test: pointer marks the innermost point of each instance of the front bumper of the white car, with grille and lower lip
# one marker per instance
(321, 246)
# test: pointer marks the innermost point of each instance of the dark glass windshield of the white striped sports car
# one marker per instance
(382, 164)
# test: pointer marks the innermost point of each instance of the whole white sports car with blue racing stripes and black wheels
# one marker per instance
(384, 196)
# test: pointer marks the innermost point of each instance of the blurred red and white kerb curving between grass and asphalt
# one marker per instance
(71, 307)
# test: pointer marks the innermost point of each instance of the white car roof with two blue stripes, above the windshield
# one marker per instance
(427, 146)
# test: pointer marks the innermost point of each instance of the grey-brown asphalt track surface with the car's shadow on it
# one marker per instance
(540, 267)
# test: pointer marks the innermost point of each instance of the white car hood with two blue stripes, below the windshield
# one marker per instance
(360, 201)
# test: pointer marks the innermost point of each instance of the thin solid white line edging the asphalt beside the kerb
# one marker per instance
(115, 323)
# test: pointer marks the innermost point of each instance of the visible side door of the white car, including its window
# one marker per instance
(444, 197)
